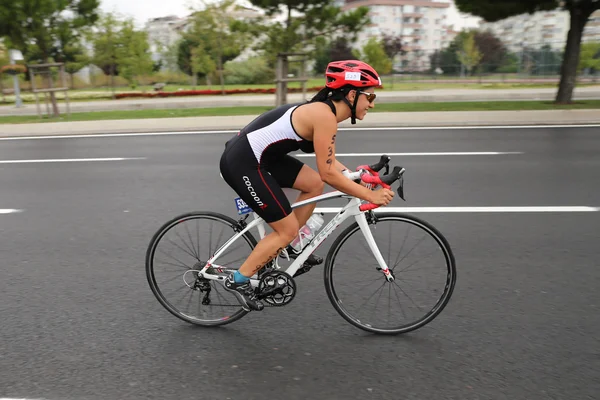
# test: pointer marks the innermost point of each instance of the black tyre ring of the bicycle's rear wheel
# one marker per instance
(150, 265)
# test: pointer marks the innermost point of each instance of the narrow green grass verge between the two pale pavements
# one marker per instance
(255, 110)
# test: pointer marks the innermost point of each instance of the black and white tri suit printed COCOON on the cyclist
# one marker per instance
(256, 163)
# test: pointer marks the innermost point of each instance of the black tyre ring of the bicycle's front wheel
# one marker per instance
(428, 317)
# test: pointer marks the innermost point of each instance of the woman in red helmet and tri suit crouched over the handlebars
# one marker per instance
(256, 164)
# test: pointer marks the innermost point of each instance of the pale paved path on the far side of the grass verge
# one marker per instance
(435, 95)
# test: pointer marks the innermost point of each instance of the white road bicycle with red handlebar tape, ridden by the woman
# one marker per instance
(199, 271)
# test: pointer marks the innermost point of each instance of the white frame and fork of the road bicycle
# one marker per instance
(349, 210)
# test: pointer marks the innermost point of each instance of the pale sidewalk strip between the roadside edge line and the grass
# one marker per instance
(374, 120)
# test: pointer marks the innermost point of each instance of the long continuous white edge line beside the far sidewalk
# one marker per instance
(387, 128)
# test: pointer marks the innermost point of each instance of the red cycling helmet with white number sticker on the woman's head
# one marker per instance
(351, 72)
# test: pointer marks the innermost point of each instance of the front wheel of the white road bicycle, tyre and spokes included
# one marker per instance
(420, 259)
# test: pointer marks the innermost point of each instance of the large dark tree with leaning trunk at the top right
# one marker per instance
(579, 10)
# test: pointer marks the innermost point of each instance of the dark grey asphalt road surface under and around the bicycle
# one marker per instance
(78, 320)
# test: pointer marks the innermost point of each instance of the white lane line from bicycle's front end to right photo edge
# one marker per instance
(509, 209)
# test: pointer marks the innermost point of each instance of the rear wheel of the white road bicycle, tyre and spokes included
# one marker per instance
(178, 250)
